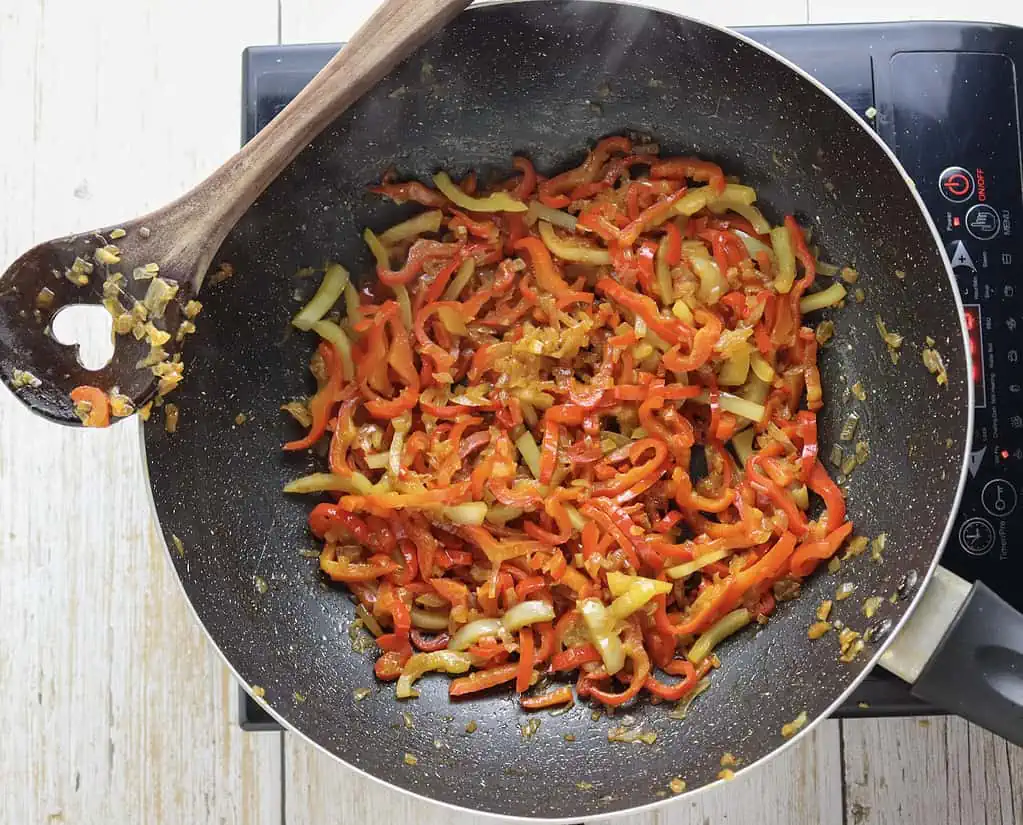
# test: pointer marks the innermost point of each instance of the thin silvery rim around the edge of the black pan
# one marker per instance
(869, 665)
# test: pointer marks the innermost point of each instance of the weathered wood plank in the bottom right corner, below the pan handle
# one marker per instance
(939, 769)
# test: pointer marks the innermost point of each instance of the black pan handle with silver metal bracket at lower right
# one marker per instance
(962, 650)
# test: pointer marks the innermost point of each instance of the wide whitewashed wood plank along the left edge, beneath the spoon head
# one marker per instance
(116, 709)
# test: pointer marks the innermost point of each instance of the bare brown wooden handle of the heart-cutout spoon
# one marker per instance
(203, 218)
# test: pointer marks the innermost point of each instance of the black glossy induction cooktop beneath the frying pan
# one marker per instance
(945, 97)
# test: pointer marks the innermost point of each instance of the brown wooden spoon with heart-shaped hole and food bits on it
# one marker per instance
(147, 271)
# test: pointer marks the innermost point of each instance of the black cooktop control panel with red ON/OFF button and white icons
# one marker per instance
(955, 125)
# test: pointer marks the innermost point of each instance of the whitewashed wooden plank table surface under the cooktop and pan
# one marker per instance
(114, 709)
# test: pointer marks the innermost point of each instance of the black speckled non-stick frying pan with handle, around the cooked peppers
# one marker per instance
(547, 79)
